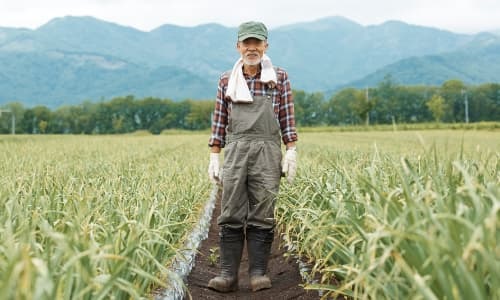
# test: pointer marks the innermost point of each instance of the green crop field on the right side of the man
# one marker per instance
(398, 215)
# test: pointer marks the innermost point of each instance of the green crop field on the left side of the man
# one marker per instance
(87, 217)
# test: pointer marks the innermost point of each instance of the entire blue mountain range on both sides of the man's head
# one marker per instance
(72, 59)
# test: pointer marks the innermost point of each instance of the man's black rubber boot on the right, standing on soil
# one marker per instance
(259, 243)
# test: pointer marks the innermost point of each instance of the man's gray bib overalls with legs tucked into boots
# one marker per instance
(252, 160)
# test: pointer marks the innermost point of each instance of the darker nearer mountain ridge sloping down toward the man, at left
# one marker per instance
(55, 78)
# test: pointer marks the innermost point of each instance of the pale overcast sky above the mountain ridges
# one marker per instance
(463, 16)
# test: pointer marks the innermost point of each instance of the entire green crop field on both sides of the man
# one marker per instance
(379, 215)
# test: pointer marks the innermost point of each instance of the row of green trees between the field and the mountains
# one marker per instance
(388, 102)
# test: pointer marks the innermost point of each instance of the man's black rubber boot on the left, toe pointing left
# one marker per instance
(231, 248)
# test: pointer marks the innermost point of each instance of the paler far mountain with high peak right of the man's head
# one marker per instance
(333, 51)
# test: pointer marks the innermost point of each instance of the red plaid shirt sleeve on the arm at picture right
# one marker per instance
(286, 112)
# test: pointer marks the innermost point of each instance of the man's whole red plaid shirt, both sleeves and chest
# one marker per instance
(282, 103)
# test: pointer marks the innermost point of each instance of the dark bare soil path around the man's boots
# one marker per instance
(284, 273)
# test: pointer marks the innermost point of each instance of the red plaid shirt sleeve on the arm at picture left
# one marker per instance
(220, 115)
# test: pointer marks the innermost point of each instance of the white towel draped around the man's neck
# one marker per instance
(237, 88)
